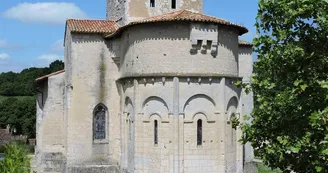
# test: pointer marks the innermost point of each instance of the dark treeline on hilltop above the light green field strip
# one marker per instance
(22, 84)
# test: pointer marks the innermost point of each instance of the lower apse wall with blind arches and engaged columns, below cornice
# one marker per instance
(177, 105)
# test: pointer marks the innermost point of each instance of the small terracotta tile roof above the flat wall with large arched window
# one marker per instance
(91, 26)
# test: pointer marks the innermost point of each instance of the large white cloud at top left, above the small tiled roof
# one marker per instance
(44, 12)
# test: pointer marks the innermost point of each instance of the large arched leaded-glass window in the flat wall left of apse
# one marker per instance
(99, 122)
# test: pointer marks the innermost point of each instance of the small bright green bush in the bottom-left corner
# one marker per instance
(16, 159)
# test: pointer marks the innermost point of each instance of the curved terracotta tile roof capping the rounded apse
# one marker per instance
(183, 15)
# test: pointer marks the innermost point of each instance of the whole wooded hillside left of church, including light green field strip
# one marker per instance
(17, 98)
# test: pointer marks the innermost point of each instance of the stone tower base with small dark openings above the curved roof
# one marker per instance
(125, 11)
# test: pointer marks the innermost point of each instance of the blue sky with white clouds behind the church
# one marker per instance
(31, 32)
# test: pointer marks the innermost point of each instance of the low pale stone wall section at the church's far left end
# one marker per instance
(51, 138)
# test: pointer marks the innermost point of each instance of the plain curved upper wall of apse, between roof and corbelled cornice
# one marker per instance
(164, 49)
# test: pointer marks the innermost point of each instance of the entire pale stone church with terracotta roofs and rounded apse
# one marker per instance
(148, 90)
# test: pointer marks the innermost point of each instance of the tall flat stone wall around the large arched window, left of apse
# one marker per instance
(89, 88)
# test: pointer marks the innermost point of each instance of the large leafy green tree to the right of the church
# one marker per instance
(289, 129)
